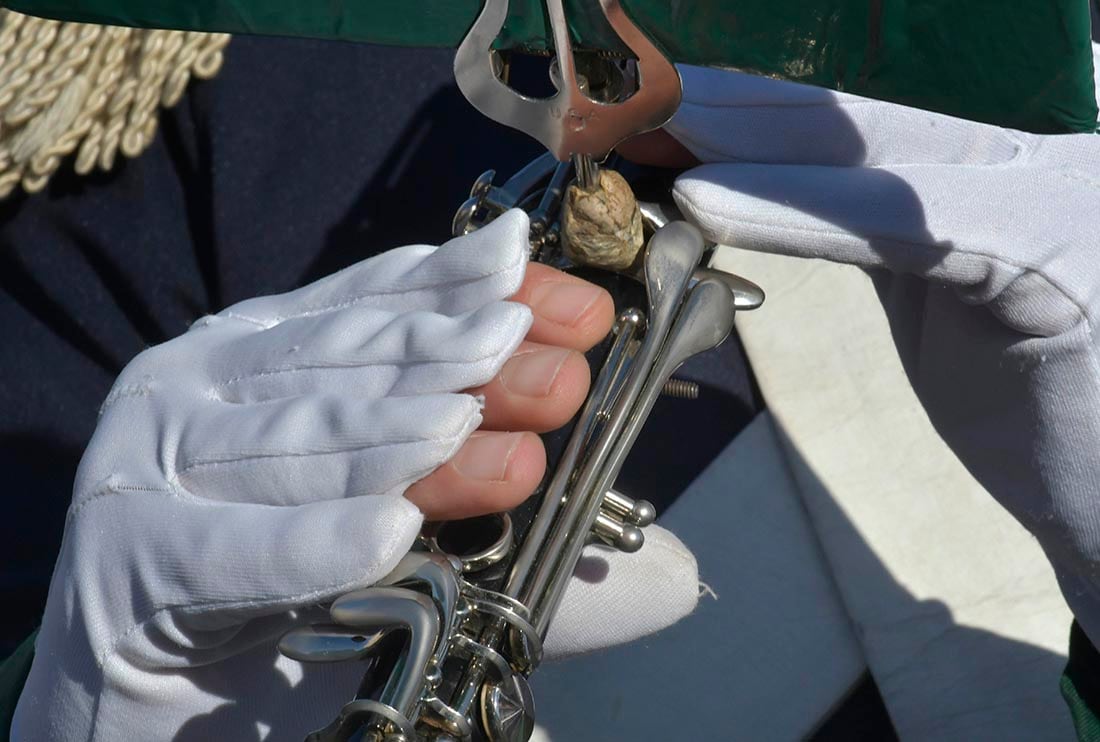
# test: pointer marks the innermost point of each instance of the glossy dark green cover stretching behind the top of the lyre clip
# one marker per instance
(1025, 64)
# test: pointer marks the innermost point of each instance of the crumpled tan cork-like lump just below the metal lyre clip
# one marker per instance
(602, 227)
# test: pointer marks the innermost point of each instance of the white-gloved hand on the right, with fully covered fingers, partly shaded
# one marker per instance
(985, 247)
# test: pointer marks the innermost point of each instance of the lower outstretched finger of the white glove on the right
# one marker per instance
(1013, 239)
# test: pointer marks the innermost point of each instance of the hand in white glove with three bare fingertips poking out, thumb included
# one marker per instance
(255, 469)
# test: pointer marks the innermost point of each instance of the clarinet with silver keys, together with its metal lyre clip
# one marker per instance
(450, 637)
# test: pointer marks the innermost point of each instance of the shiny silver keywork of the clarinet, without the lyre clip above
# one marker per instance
(474, 626)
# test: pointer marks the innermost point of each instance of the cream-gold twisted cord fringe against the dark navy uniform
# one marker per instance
(94, 92)
